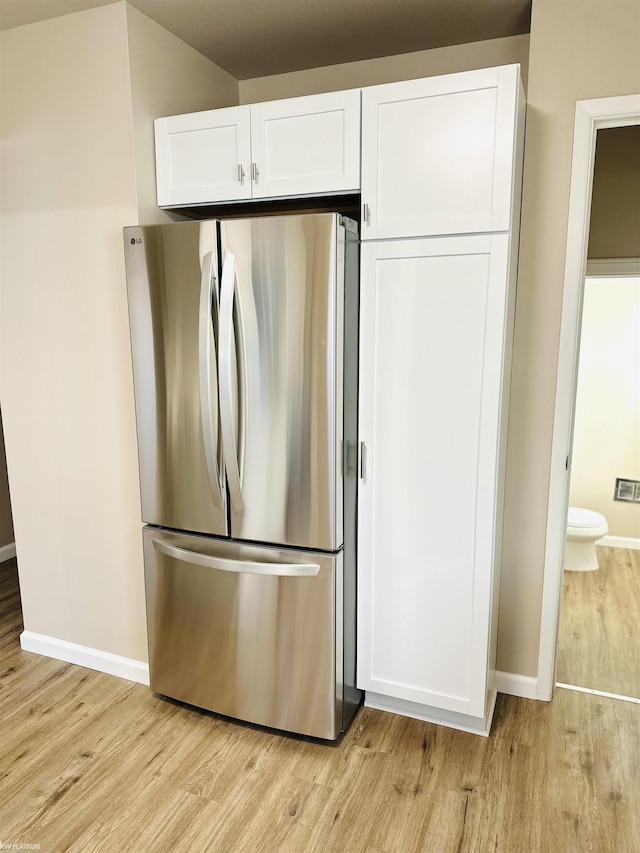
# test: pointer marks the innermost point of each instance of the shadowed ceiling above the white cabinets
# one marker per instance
(256, 38)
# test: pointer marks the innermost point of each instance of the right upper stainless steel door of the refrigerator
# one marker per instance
(281, 377)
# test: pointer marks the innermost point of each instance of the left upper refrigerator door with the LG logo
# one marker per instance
(173, 312)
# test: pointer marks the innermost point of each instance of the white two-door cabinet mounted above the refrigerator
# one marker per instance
(298, 146)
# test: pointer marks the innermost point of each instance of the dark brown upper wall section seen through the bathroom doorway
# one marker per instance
(615, 207)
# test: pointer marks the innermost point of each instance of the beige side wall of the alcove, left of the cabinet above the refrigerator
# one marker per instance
(167, 78)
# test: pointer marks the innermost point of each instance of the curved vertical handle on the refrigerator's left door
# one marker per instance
(208, 414)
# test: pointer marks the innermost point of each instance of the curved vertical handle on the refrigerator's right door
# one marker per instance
(231, 452)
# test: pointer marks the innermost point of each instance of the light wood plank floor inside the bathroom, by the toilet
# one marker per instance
(599, 636)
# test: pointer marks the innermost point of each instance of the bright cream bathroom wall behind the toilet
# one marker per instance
(606, 440)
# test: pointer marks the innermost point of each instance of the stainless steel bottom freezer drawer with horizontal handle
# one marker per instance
(247, 632)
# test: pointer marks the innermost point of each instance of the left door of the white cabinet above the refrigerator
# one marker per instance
(203, 157)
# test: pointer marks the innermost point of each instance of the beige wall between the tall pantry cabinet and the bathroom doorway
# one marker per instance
(579, 49)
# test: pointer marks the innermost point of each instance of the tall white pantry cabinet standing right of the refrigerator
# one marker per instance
(441, 180)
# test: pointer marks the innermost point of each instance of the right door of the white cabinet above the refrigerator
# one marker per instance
(306, 145)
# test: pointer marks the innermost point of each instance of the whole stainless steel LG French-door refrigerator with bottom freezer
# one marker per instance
(244, 341)
